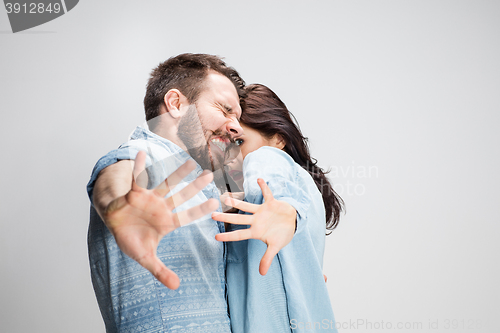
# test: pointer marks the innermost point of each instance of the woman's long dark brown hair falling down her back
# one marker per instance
(267, 114)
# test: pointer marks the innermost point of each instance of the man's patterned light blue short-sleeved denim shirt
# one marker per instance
(129, 297)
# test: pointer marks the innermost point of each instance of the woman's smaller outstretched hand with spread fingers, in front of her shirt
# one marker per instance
(273, 222)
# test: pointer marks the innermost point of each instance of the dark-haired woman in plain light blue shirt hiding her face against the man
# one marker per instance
(292, 295)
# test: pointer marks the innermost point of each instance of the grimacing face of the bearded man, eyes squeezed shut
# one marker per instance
(210, 126)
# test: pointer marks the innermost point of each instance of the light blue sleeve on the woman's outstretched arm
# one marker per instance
(279, 172)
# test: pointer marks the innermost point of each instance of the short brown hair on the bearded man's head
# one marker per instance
(186, 72)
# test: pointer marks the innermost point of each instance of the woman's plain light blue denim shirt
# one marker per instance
(292, 296)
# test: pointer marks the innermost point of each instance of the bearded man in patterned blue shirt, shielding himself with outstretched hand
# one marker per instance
(192, 108)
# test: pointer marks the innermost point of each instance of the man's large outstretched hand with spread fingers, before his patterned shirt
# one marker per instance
(141, 218)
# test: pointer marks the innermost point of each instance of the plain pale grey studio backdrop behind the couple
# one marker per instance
(406, 91)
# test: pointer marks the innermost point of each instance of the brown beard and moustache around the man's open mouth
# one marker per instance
(192, 133)
